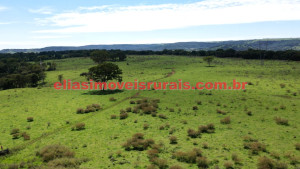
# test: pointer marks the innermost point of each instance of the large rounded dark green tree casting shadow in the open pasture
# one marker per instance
(104, 72)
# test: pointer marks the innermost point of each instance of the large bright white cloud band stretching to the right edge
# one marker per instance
(170, 16)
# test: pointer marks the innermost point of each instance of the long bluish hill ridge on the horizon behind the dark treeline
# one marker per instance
(270, 44)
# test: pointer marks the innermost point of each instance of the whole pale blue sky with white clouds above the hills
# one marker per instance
(42, 23)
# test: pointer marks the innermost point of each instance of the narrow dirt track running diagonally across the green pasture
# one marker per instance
(57, 130)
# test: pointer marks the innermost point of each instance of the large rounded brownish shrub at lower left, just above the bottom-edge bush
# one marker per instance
(52, 152)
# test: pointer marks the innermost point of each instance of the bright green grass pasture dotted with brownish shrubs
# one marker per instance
(274, 92)
